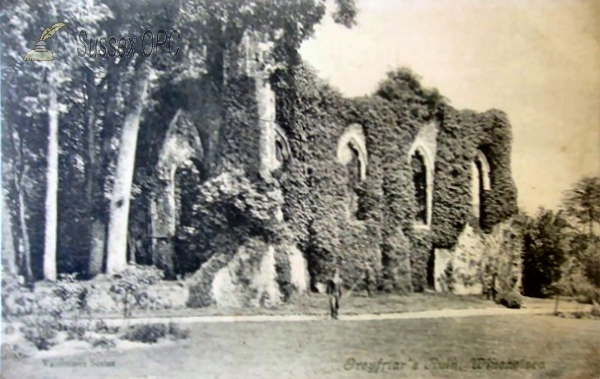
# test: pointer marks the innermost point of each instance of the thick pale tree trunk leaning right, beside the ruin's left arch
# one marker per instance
(116, 259)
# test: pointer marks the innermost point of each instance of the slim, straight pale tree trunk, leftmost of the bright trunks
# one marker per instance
(51, 207)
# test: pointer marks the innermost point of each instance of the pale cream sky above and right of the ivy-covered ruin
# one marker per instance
(539, 61)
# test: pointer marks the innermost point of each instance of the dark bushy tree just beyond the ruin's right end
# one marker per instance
(544, 252)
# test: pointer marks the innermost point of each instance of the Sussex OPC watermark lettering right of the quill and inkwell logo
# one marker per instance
(128, 46)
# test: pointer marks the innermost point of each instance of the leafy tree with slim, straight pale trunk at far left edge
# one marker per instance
(40, 94)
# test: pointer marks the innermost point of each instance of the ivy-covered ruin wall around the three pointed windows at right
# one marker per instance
(384, 233)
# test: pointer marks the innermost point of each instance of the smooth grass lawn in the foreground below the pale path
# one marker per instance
(324, 349)
